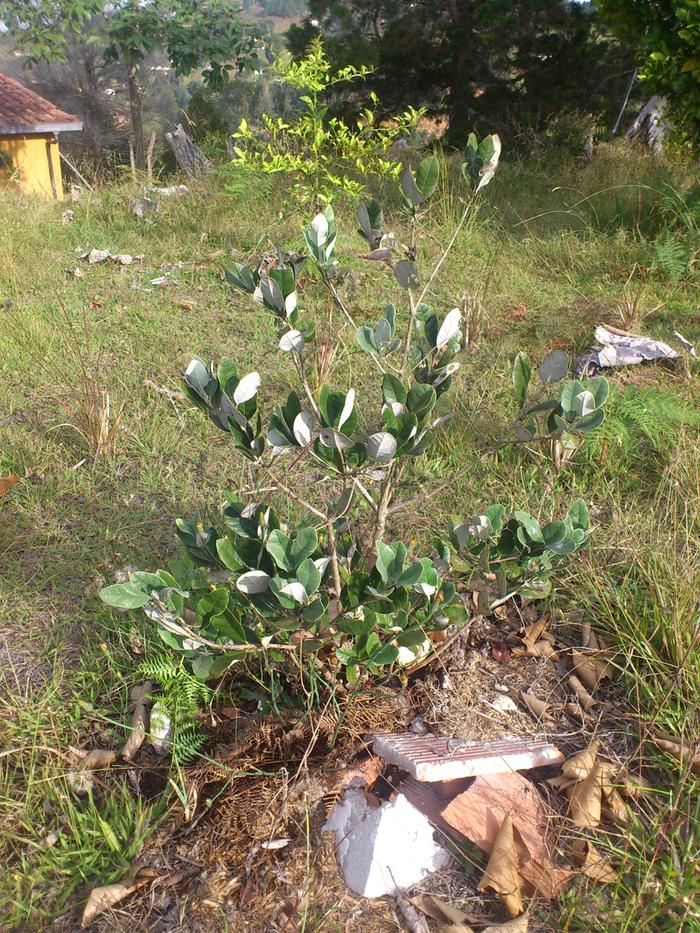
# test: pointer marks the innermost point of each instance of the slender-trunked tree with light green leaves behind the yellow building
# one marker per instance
(208, 35)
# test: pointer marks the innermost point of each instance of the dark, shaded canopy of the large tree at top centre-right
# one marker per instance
(489, 63)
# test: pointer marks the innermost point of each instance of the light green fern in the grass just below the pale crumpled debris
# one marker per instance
(649, 413)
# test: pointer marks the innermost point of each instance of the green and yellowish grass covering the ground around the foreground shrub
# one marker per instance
(74, 520)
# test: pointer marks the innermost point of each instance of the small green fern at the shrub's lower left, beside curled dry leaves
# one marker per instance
(182, 695)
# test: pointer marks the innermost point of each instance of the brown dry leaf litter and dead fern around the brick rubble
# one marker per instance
(257, 802)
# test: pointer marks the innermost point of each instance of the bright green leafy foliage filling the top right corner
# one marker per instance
(667, 37)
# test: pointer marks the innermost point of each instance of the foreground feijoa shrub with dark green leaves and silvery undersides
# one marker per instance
(330, 597)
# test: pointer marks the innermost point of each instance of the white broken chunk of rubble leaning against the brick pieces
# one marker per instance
(382, 848)
